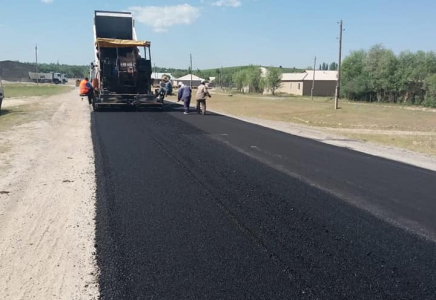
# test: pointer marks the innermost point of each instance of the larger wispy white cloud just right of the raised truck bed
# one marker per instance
(160, 18)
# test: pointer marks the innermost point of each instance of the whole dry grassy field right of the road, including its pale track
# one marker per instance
(385, 124)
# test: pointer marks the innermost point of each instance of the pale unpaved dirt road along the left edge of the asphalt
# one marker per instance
(47, 201)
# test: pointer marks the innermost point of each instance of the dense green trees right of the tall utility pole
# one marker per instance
(379, 75)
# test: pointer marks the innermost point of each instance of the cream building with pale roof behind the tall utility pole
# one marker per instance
(301, 83)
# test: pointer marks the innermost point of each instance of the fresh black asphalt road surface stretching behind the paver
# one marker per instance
(208, 207)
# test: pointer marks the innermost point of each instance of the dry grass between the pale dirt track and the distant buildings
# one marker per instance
(320, 112)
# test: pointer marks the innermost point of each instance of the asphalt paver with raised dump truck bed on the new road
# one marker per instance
(121, 71)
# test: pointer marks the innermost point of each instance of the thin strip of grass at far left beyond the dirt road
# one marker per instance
(29, 90)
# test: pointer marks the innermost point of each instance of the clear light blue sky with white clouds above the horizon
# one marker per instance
(220, 32)
